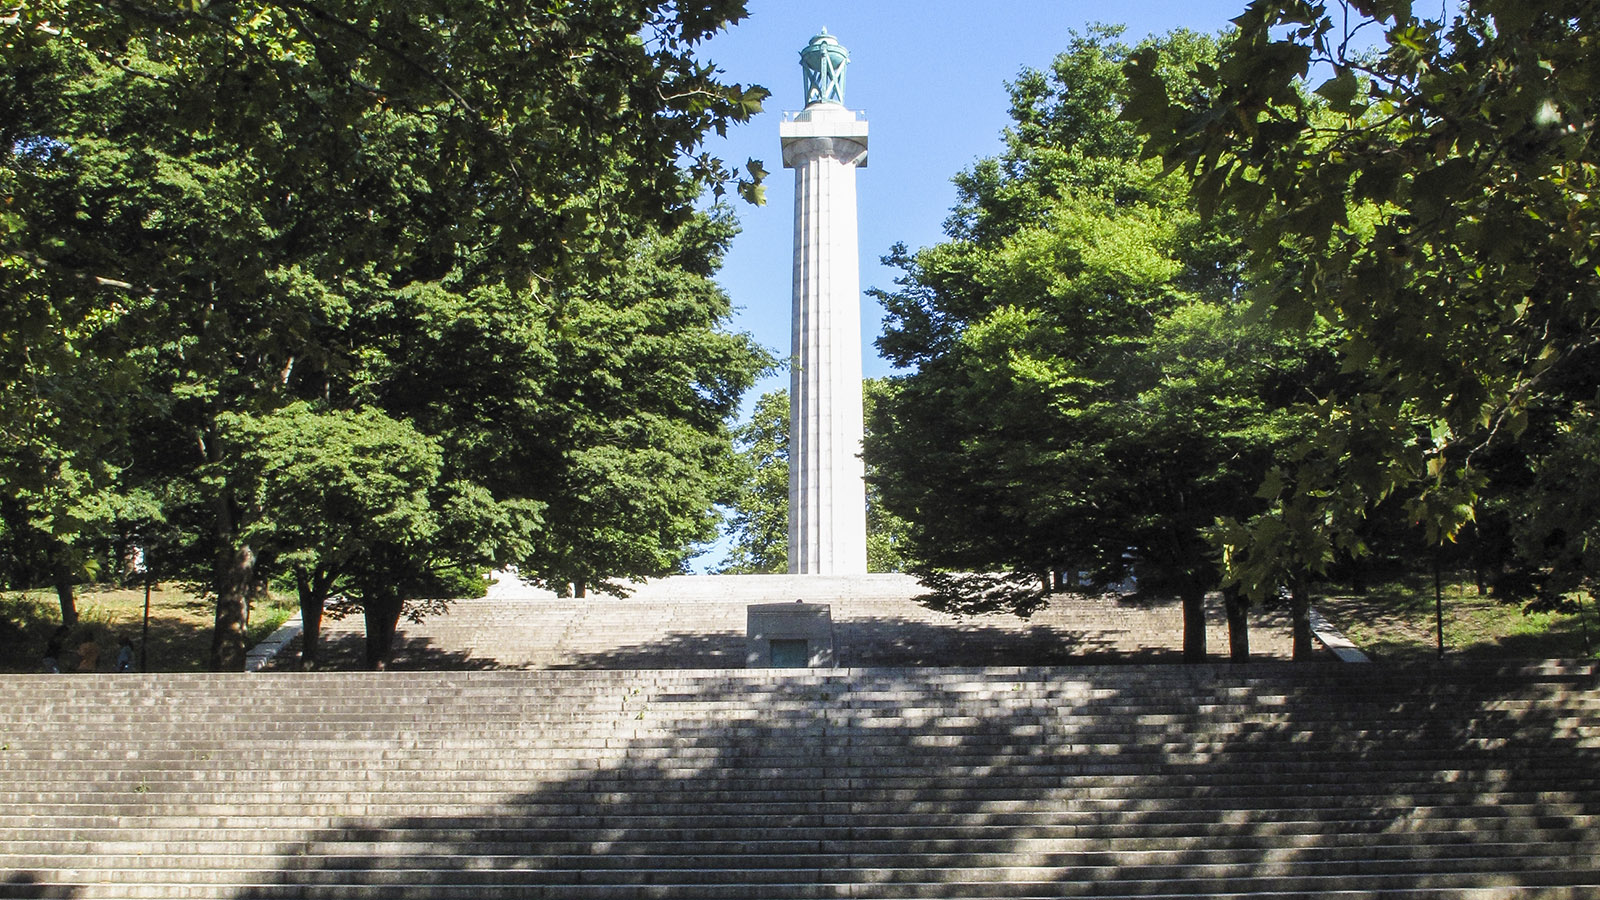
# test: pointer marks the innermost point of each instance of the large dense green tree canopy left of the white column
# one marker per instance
(478, 223)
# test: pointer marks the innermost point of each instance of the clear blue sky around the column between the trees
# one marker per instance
(932, 79)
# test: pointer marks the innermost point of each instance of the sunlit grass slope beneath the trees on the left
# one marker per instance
(180, 627)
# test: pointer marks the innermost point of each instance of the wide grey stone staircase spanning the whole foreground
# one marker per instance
(1178, 782)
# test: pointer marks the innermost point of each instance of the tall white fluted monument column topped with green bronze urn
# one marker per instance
(828, 497)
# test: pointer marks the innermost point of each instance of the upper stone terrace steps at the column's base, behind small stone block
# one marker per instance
(700, 621)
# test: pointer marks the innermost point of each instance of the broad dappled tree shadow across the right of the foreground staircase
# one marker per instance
(1014, 784)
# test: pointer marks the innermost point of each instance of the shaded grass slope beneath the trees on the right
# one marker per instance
(1398, 622)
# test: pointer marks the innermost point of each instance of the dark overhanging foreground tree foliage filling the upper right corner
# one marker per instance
(1434, 203)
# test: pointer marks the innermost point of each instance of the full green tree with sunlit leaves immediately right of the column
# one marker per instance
(1087, 396)
